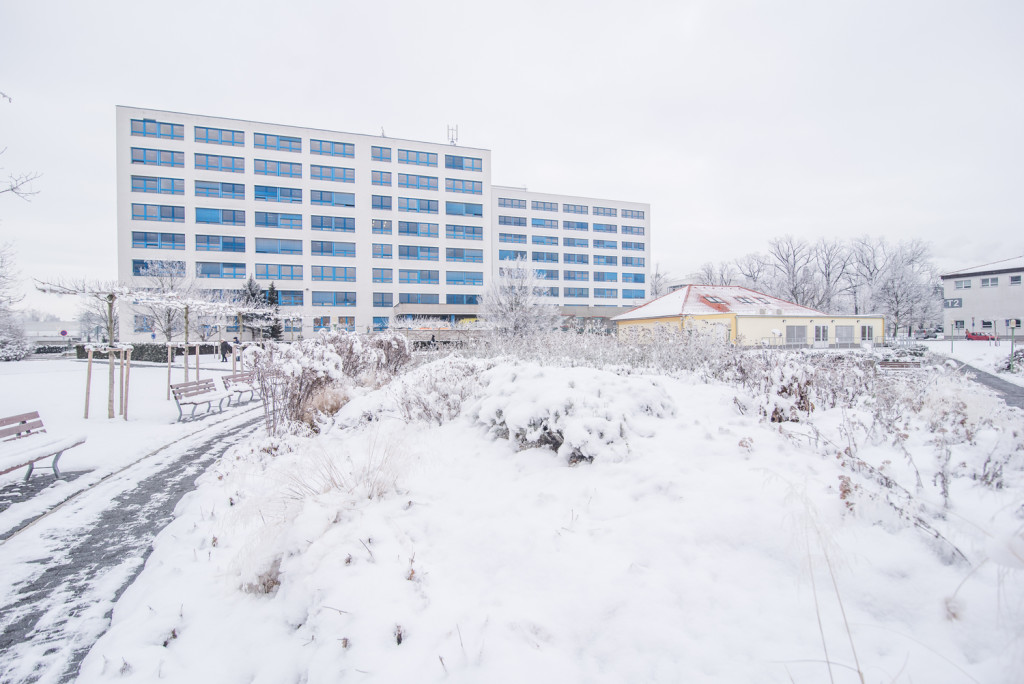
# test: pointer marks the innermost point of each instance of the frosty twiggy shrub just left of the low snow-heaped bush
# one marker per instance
(436, 393)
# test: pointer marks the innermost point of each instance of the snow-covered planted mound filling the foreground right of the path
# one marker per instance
(436, 530)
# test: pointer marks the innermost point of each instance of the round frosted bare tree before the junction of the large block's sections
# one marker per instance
(516, 305)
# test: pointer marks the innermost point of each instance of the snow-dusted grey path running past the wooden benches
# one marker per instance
(82, 563)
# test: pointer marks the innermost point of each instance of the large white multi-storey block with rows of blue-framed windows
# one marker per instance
(355, 231)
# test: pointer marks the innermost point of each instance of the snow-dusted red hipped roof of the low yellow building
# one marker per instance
(708, 300)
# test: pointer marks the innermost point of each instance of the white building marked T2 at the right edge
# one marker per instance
(985, 300)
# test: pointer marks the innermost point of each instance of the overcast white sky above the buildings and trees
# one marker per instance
(737, 121)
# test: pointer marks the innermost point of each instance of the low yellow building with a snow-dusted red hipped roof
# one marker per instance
(753, 319)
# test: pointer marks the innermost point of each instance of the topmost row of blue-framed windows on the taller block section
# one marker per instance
(152, 129)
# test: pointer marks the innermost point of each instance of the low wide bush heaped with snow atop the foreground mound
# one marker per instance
(581, 414)
